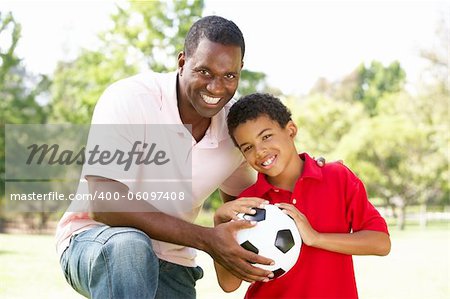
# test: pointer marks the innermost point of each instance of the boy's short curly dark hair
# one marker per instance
(254, 105)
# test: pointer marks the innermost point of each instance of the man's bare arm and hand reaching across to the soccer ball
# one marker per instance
(218, 242)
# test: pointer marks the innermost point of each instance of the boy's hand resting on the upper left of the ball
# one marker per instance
(229, 210)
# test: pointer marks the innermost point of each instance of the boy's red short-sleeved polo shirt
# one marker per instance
(335, 201)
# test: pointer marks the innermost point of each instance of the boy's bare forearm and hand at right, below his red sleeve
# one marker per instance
(364, 242)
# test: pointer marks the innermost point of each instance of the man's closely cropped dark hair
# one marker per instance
(215, 29)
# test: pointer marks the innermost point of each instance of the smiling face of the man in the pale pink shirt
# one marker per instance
(208, 78)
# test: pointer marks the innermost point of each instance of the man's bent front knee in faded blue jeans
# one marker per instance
(126, 266)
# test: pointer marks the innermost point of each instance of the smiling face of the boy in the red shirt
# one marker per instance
(266, 146)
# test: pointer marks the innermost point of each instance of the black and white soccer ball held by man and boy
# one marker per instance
(275, 236)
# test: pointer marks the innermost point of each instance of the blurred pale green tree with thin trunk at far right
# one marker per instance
(398, 156)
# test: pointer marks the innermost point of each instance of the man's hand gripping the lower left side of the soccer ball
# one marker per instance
(224, 249)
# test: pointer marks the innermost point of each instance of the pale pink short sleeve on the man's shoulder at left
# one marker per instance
(116, 127)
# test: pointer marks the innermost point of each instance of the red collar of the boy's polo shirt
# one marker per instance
(310, 170)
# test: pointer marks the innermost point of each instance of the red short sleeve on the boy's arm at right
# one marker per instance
(360, 212)
